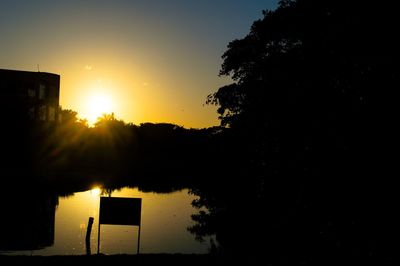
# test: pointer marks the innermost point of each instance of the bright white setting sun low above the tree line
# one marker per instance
(97, 105)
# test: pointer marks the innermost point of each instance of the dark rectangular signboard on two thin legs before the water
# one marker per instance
(119, 211)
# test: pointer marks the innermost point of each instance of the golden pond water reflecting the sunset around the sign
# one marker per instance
(165, 218)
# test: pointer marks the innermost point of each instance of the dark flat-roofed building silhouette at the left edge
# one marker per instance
(29, 96)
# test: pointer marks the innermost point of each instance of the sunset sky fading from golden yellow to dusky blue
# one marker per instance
(146, 61)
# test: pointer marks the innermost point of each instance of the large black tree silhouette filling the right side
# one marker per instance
(309, 118)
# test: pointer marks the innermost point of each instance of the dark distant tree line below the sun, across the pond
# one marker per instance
(115, 148)
